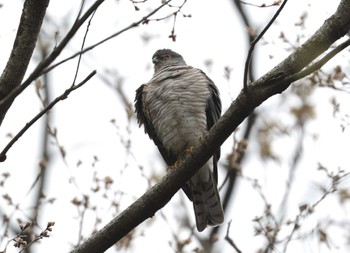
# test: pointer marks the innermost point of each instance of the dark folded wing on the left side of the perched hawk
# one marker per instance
(144, 118)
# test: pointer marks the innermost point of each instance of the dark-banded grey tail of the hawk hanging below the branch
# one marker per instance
(206, 199)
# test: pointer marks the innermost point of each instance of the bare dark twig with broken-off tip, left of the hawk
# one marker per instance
(40, 114)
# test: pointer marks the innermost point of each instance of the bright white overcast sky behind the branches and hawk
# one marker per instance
(213, 32)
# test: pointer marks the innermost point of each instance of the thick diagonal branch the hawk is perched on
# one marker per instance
(274, 82)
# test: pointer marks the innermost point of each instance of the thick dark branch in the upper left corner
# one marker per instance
(32, 17)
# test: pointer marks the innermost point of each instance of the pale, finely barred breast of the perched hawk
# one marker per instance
(176, 107)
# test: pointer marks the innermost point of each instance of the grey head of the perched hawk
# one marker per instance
(166, 57)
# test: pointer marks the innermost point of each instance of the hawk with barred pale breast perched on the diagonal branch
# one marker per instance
(177, 108)
